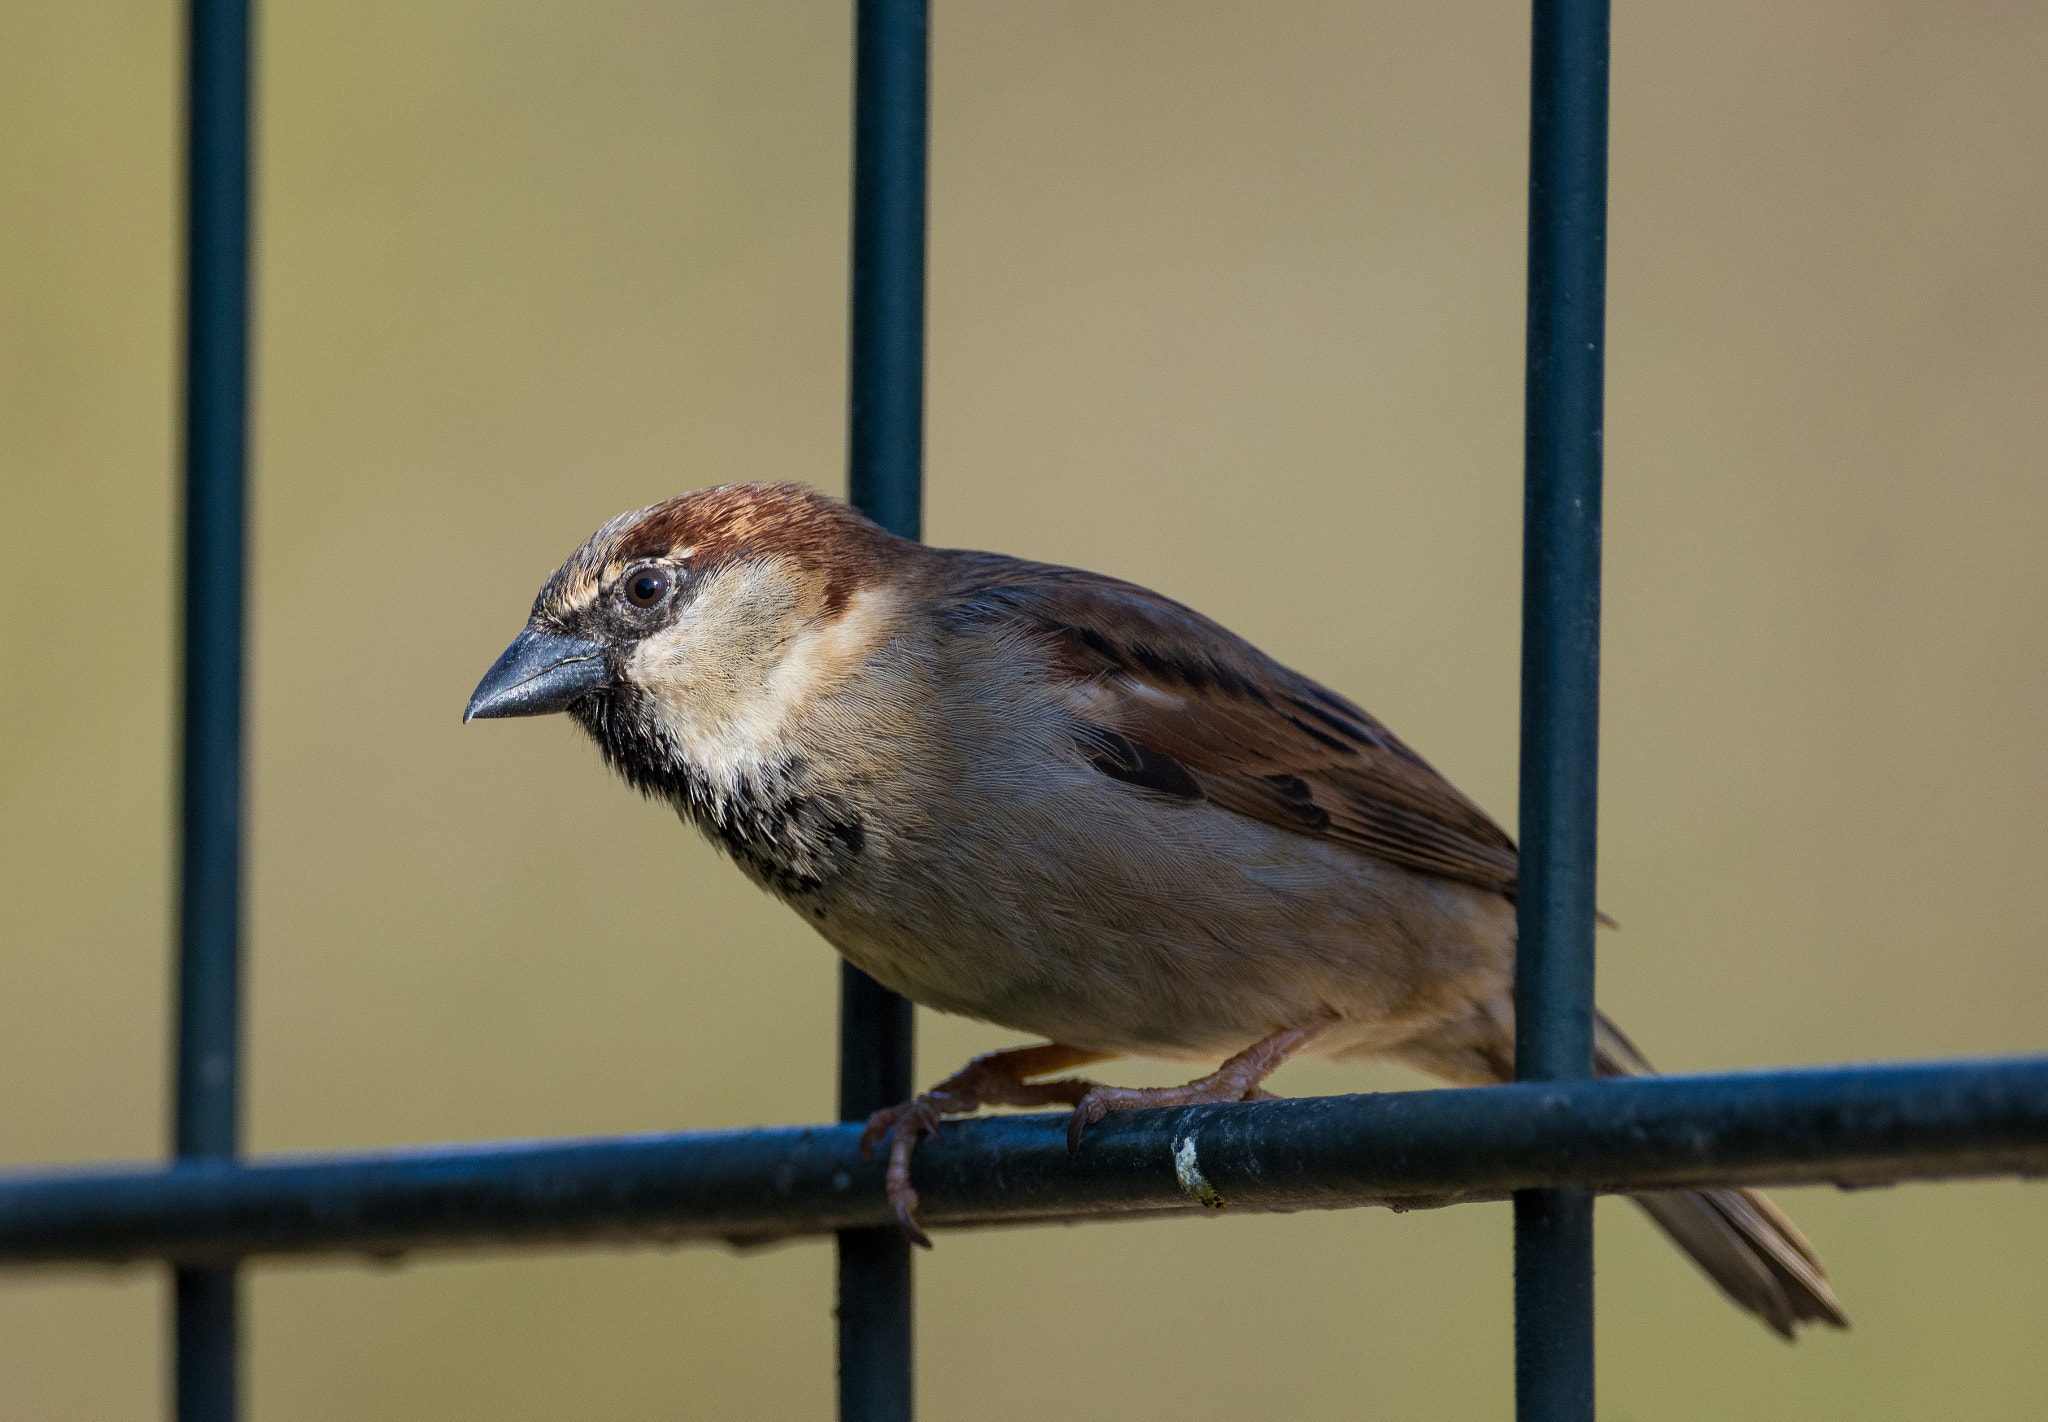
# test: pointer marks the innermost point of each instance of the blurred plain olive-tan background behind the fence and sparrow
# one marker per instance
(1228, 300)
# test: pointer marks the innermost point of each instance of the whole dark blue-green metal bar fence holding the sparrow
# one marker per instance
(1553, 1140)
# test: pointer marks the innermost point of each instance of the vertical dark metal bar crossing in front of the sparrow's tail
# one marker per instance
(1562, 677)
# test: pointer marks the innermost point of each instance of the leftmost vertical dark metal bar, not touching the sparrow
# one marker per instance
(210, 833)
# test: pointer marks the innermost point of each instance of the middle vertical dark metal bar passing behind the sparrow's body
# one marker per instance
(886, 470)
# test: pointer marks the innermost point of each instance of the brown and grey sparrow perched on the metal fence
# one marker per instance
(1068, 806)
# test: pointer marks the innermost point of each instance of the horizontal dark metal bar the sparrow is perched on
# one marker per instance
(1848, 1126)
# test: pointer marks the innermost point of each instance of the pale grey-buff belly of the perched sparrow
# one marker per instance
(1172, 931)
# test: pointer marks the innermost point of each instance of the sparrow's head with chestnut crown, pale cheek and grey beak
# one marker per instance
(687, 632)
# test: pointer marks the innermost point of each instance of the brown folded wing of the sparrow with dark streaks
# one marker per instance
(1183, 706)
